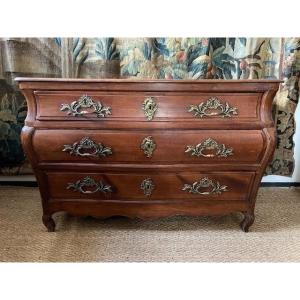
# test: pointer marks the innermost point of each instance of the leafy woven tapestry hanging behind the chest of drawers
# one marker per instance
(148, 58)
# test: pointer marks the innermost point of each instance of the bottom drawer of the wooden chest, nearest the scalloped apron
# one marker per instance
(150, 186)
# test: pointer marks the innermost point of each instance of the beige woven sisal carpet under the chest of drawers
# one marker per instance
(274, 237)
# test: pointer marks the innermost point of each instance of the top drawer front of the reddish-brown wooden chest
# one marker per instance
(70, 105)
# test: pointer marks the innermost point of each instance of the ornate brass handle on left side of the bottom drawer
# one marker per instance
(88, 182)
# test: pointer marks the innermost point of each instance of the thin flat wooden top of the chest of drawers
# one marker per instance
(157, 85)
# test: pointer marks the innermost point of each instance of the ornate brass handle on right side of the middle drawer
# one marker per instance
(207, 145)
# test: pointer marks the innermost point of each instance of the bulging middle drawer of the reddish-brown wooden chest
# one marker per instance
(149, 146)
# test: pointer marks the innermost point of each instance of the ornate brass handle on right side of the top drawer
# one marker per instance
(213, 107)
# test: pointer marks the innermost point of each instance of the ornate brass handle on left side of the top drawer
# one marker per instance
(86, 102)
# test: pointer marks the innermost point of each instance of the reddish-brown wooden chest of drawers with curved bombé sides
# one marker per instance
(148, 148)
